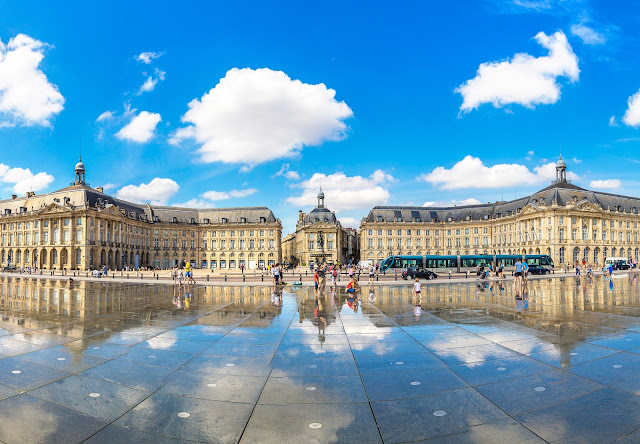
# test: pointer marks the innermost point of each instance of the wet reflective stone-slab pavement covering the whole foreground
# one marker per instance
(466, 362)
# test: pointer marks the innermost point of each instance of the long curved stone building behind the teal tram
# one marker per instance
(563, 220)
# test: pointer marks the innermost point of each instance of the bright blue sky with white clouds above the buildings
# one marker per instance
(256, 103)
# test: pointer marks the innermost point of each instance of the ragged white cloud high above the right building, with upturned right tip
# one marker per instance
(525, 80)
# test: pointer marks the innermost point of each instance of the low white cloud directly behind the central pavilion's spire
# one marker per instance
(344, 192)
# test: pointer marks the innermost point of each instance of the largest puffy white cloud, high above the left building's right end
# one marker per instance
(253, 116)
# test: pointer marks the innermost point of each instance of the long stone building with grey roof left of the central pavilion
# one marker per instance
(82, 228)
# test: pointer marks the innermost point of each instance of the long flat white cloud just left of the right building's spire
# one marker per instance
(471, 172)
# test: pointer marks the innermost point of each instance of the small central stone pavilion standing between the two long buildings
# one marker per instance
(320, 237)
